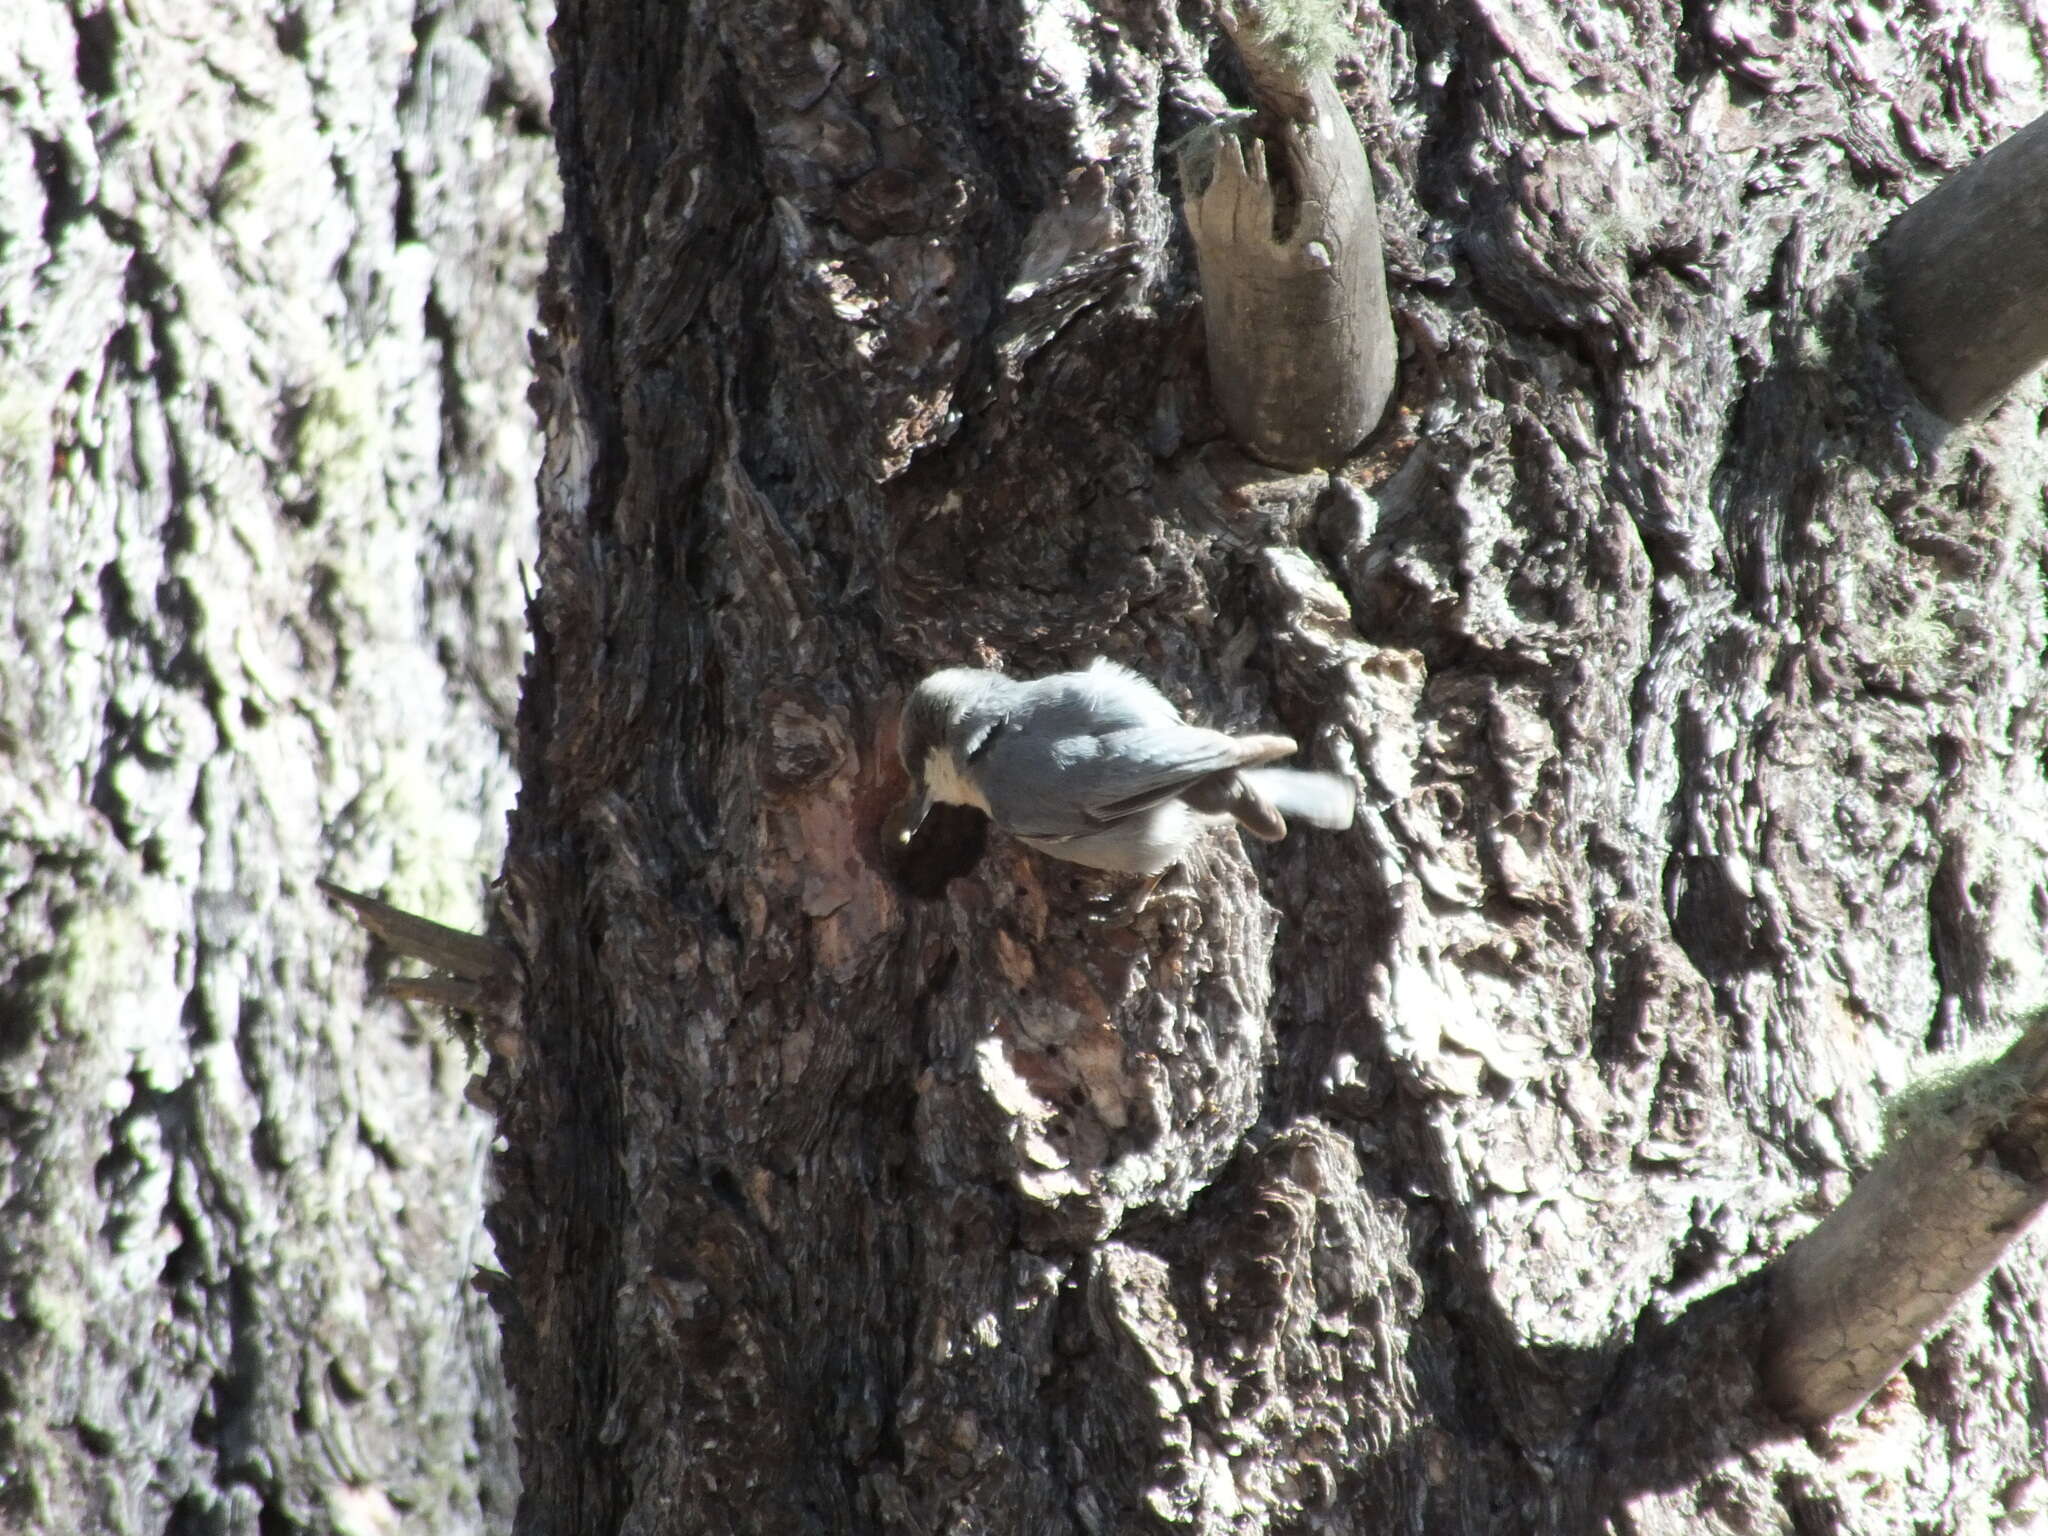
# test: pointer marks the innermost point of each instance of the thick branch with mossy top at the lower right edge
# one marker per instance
(1859, 1293)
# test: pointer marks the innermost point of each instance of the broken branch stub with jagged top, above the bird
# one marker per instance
(1287, 237)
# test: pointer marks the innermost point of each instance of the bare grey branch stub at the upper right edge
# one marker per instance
(1965, 275)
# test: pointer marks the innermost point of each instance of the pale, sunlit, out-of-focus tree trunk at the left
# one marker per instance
(265, 478)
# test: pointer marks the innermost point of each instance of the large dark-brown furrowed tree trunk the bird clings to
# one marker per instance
(1416, 1179)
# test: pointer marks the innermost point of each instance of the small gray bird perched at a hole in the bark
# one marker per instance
(1097, 767)
